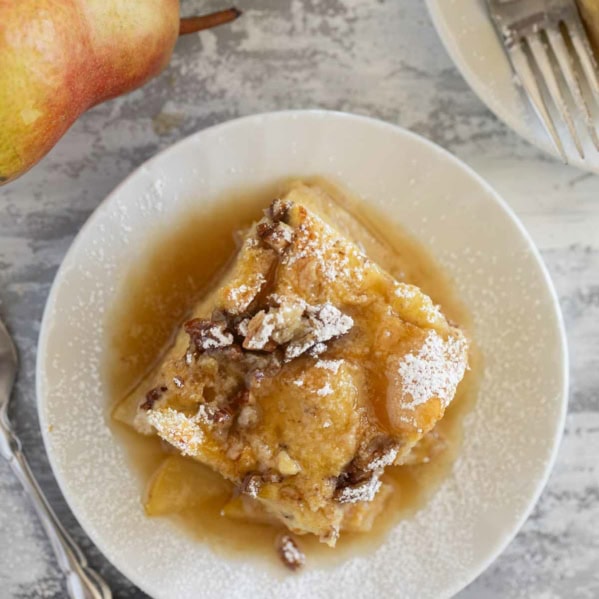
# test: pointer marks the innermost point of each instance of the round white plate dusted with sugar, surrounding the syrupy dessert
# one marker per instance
(511, 435)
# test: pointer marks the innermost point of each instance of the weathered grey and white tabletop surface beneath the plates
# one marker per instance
(377, 58)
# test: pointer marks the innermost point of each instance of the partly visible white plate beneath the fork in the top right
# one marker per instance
(472, 43)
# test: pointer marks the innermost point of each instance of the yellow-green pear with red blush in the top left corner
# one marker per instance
(60, 57)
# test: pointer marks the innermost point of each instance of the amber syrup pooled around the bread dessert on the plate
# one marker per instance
(161, 288)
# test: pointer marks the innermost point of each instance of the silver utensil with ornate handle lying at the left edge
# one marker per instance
(82, 582)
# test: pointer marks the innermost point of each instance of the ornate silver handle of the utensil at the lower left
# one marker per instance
(81, 580)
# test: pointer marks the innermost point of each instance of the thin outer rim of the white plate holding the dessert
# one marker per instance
(104, 205)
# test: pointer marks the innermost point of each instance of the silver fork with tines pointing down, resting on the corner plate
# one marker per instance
(553, 59)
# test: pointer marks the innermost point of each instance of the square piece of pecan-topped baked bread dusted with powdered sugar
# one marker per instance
(303, 374)
